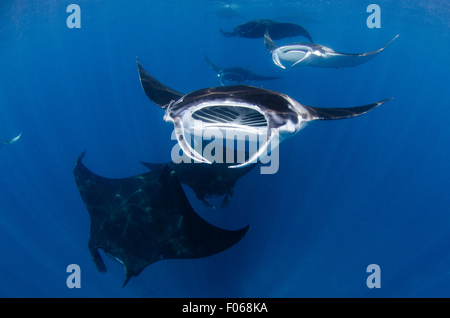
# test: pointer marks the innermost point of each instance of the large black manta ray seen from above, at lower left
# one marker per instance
(144, 219)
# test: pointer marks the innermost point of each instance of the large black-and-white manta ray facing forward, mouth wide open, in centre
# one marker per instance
(239, 111)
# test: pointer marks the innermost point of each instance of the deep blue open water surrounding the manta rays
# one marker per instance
(349, 193)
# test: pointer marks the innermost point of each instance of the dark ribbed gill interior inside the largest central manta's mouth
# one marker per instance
(230, 115)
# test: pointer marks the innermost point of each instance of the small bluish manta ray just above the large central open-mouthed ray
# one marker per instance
(236, 75)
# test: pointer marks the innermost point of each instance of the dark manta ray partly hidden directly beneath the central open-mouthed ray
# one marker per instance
(206, 180)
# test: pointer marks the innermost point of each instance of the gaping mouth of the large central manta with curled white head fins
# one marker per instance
(232, 126)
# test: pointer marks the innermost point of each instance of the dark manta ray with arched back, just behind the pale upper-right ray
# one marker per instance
(255, 29)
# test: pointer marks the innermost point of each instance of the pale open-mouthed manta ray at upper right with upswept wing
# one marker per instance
(308, 54)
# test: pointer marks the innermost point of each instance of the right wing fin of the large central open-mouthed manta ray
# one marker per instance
(319, 113)
